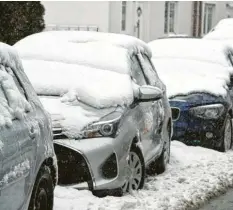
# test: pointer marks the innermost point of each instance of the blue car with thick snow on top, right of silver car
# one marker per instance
(197, 75)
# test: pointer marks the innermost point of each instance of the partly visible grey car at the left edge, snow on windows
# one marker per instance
(28, 172)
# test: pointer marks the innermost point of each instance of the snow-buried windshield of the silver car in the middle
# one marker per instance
(96, 87)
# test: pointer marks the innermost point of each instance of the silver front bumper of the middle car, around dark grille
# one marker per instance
(105, 166)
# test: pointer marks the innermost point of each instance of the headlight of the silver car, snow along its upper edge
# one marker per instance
(107, 126)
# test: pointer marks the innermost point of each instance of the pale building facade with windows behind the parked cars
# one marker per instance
(147, 20)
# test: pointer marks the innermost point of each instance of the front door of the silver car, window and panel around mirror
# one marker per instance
(143, 111)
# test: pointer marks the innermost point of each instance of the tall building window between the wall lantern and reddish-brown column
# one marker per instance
(170, 16)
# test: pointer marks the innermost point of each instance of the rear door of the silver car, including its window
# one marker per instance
(157, 106)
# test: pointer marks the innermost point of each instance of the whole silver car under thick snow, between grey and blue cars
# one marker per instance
(111, 115)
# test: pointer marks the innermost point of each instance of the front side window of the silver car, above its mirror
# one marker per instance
(137, 72)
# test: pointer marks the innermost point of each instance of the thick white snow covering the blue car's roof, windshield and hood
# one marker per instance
(205, 68)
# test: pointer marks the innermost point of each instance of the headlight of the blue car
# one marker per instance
(212, 111)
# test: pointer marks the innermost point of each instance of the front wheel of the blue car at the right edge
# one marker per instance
(227, 135)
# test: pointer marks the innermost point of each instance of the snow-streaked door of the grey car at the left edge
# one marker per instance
(17, 148)
